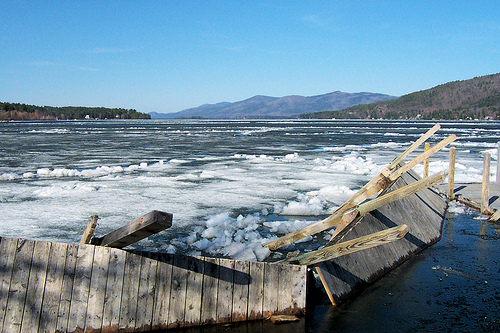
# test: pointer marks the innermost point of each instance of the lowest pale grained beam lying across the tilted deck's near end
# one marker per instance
(352, 246)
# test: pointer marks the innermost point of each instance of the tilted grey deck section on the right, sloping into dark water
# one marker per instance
(422, 212)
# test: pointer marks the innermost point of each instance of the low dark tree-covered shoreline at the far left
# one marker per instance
(16, 111)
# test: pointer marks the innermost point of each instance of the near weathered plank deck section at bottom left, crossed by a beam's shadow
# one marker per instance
(58, 287)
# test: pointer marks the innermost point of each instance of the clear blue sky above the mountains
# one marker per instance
(166, 56)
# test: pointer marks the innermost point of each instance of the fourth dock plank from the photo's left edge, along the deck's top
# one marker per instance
(53, 287)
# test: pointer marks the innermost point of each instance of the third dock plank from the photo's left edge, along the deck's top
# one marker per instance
(36, 285)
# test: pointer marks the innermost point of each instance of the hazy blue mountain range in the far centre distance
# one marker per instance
(276, 107)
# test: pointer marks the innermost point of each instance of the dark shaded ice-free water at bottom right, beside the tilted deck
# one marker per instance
(453, 286)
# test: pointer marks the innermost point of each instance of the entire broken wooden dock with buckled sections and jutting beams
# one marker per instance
(57, 287)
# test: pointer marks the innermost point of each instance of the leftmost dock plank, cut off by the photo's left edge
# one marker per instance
(8, 249)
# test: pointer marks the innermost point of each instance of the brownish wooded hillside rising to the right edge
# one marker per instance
(477, 98)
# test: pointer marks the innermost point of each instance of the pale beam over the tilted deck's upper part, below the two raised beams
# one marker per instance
(401, 193)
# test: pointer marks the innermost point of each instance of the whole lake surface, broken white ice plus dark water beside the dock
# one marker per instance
(232, 185)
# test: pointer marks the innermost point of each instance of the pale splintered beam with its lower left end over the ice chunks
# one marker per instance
(312, 229)
